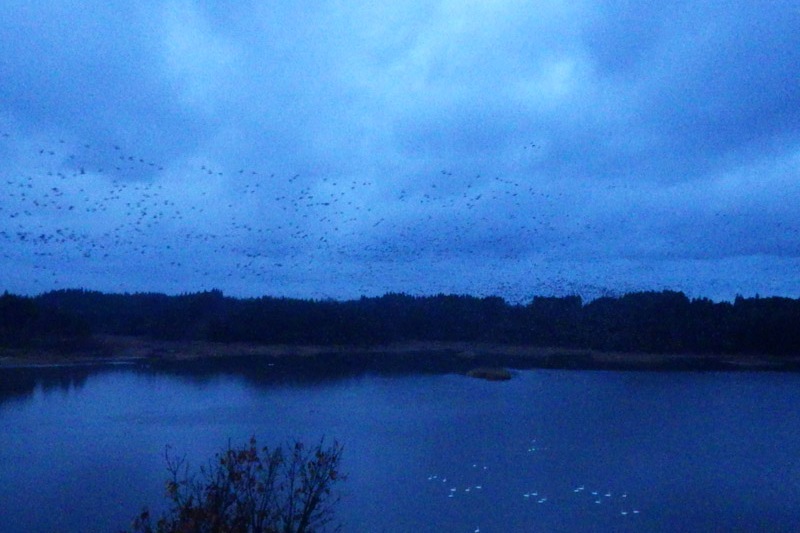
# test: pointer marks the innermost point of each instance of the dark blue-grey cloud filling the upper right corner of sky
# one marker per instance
(712, 86)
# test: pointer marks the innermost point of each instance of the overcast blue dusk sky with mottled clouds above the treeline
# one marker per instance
(334, 149)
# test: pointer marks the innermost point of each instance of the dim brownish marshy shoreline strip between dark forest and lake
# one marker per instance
(111, 351)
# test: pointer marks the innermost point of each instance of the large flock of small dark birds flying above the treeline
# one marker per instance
(81, 211)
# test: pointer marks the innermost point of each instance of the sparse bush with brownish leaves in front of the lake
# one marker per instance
(248, 490)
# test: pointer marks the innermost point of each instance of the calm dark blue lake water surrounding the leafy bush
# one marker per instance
(83, 448)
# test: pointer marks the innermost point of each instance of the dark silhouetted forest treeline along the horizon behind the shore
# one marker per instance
(658, 322)
